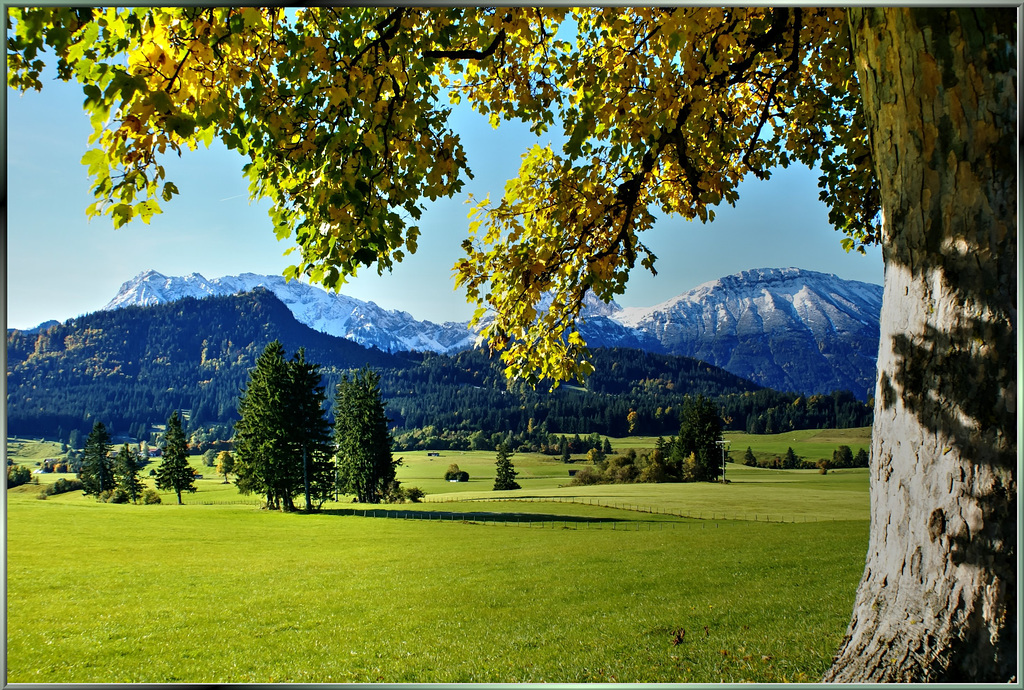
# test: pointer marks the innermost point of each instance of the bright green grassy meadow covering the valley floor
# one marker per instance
(546, 584)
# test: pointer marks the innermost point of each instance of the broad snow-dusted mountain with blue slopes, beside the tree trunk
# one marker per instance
(784, 328)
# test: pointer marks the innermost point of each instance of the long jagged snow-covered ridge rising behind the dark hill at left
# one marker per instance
(334, 314)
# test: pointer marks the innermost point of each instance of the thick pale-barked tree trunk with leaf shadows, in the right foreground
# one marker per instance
(938, 600)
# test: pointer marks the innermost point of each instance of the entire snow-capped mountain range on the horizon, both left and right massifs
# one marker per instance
(788, 329)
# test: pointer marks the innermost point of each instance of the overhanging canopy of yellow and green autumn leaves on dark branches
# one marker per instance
(343, 114)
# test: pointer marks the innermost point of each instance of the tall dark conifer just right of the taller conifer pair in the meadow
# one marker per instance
(365, 463)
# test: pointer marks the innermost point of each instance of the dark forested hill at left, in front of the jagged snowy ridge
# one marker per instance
(133, 367)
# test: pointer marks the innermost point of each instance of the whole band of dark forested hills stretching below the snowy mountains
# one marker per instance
(131, 368)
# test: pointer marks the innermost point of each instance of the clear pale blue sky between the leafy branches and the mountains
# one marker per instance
(61, 266)
